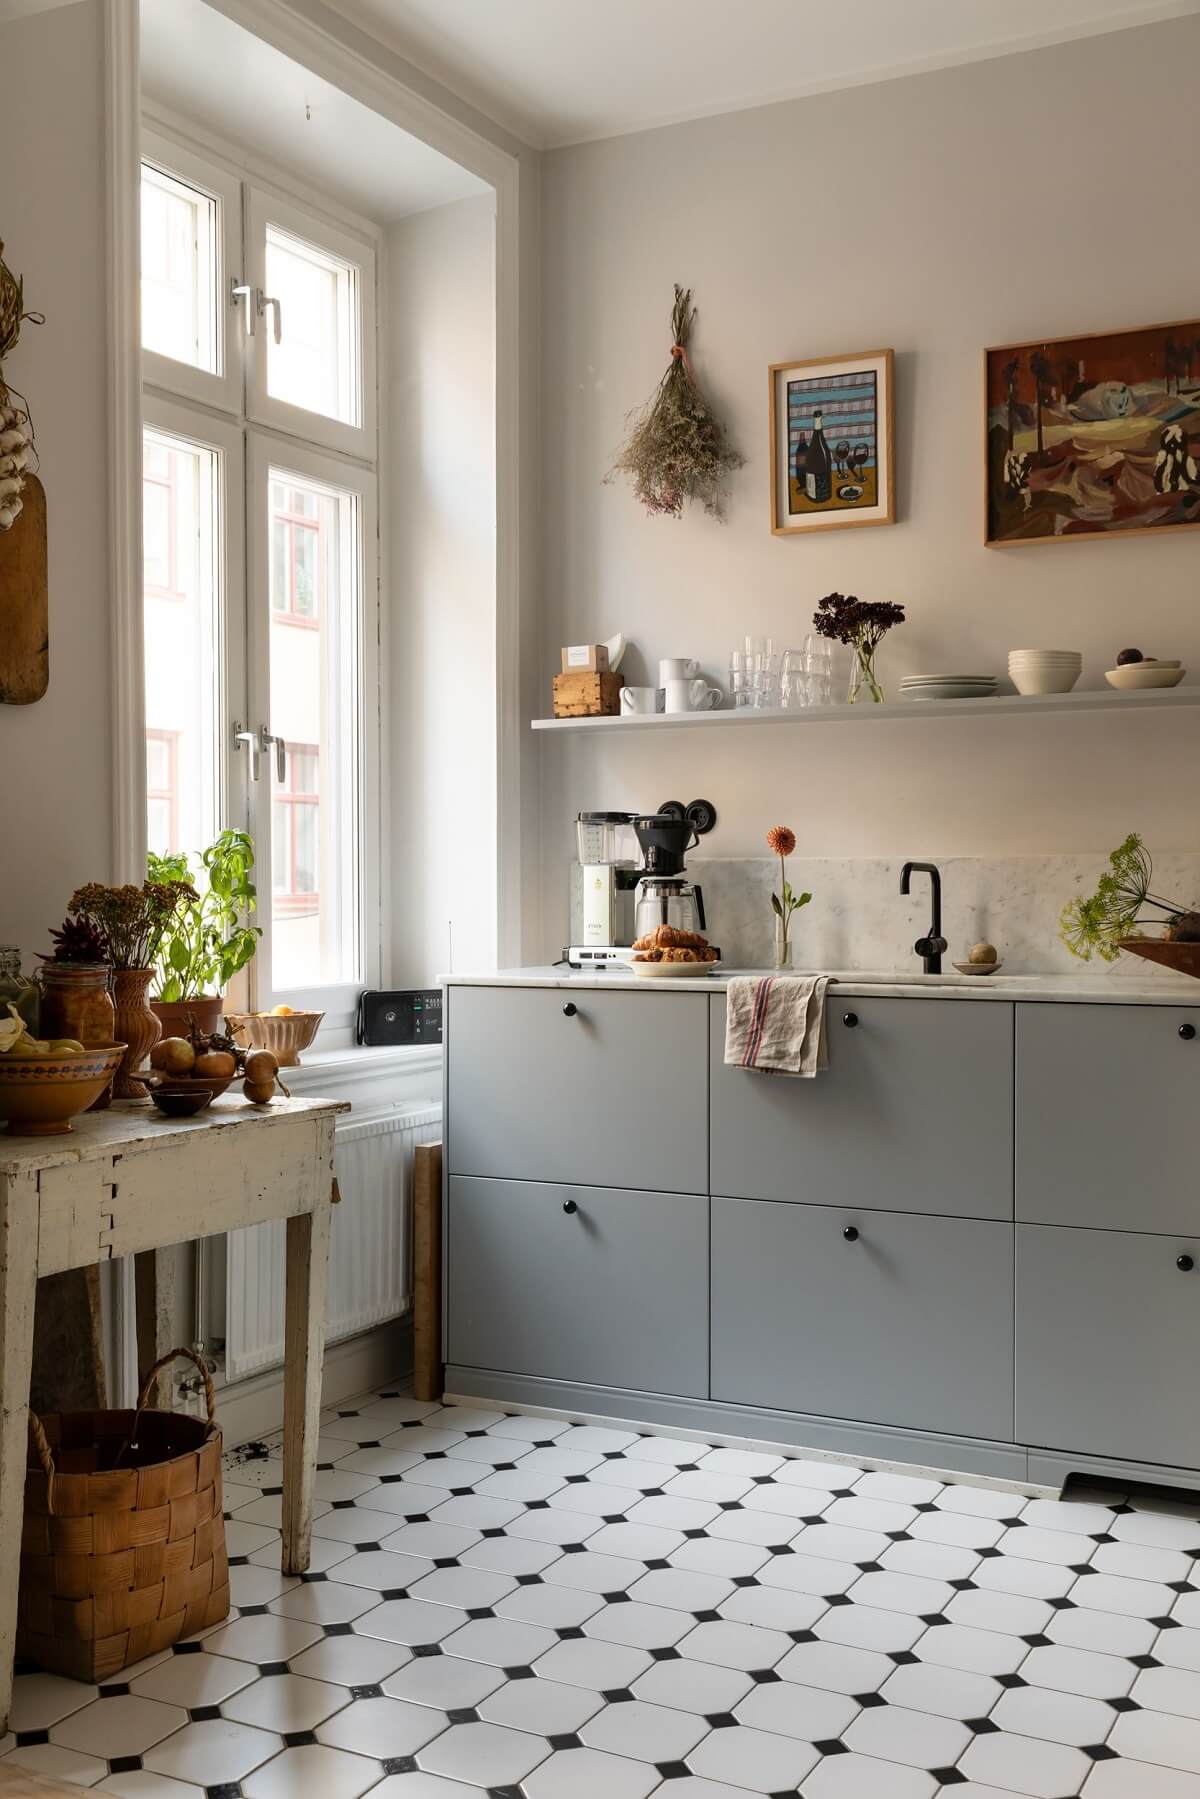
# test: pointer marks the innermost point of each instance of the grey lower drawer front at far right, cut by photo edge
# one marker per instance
(1109, 1345)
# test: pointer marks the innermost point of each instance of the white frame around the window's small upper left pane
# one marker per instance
(226, 389)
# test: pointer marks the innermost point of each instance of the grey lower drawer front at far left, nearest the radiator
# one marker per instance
(604, 1287)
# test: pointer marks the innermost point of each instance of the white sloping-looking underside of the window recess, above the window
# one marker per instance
(204, 66)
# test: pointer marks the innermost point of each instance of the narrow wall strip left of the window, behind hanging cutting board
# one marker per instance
(55, 756)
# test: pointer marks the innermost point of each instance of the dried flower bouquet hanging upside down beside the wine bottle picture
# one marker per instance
(677, 449)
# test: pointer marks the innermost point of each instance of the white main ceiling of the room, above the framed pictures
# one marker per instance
(568, 71)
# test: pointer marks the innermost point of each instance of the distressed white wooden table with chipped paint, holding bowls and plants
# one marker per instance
(130, 1183)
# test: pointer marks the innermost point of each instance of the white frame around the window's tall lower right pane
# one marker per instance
(267, 451)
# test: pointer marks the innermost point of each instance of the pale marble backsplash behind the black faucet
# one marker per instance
(861, 920)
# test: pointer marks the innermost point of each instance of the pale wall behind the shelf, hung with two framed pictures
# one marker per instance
(942, 213)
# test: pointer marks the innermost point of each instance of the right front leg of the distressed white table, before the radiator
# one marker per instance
(305, 1341)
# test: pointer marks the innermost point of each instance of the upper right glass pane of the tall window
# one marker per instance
(318, 362)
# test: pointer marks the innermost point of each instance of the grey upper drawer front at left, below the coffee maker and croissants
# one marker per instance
(613, 1093)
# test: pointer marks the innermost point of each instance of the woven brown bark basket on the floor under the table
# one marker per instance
(123, 1550)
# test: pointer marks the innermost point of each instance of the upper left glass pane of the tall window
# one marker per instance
(179, 271)
